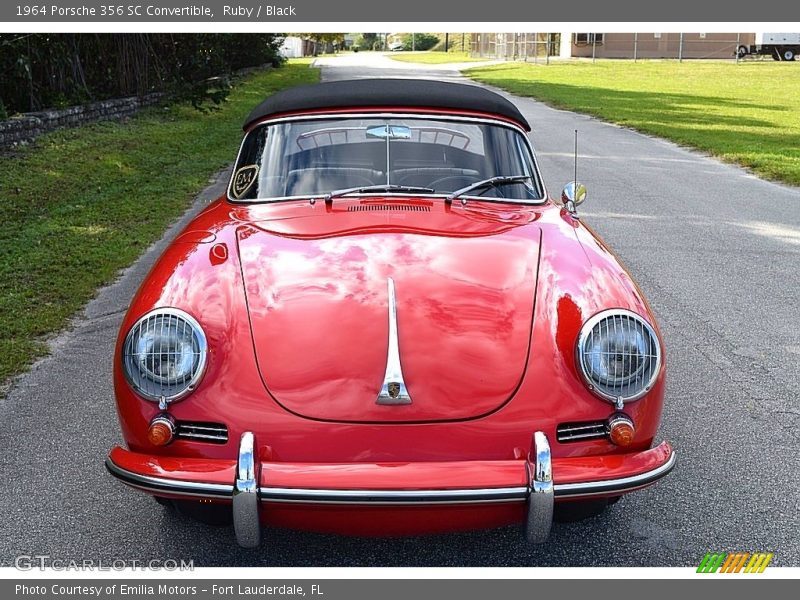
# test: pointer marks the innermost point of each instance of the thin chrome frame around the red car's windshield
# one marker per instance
(388, 115)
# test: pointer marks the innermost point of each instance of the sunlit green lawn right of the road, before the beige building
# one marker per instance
(746, 114)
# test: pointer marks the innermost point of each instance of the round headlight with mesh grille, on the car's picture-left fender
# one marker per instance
(164, 355)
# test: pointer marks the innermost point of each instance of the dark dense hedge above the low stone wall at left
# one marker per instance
(46, 70)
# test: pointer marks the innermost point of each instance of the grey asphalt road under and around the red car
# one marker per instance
(716, 251)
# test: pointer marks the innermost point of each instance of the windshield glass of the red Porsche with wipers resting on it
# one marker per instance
(314, 157)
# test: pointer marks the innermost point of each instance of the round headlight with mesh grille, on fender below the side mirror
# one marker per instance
(618, 355)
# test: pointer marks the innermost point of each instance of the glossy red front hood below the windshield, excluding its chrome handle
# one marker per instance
(465, 284)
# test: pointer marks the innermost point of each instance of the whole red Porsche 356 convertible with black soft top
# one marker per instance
(386, 326)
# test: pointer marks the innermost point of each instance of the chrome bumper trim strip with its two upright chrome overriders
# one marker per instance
(246, 495)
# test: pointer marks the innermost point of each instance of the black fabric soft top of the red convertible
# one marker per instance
(386, 93)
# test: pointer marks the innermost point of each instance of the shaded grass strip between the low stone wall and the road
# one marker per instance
(81, 204)
